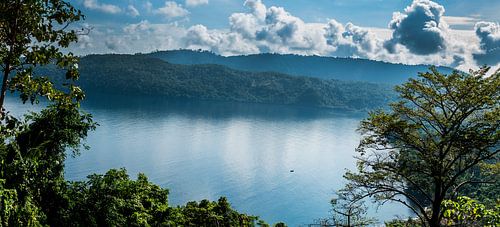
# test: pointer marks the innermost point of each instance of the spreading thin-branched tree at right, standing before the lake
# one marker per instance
(421, 151)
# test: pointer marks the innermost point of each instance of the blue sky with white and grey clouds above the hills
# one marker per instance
(463, 34)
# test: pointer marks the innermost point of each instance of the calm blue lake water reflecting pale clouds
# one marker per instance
(210, 149)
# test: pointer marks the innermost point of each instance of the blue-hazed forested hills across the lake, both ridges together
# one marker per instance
(341, 83)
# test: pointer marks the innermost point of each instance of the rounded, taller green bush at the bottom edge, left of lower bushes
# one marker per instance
(115, 200)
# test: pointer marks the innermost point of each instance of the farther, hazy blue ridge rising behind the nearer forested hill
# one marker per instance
(315, 66)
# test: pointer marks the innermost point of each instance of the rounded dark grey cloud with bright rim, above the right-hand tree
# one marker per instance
(420, 28)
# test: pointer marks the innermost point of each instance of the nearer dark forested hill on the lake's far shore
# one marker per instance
(138, 74)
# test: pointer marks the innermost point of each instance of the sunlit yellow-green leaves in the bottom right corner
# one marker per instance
(468, 212)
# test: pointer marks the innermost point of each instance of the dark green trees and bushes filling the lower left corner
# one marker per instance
(33, 191)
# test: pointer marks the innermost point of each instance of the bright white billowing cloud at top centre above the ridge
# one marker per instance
(274, 29)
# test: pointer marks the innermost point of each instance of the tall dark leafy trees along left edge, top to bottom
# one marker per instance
(33, 148)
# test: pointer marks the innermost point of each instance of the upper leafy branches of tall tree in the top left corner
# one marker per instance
(32, 33)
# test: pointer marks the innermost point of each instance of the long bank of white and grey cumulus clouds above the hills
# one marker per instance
(419, 35)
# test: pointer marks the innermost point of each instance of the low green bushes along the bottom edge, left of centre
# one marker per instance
(113, 199)
